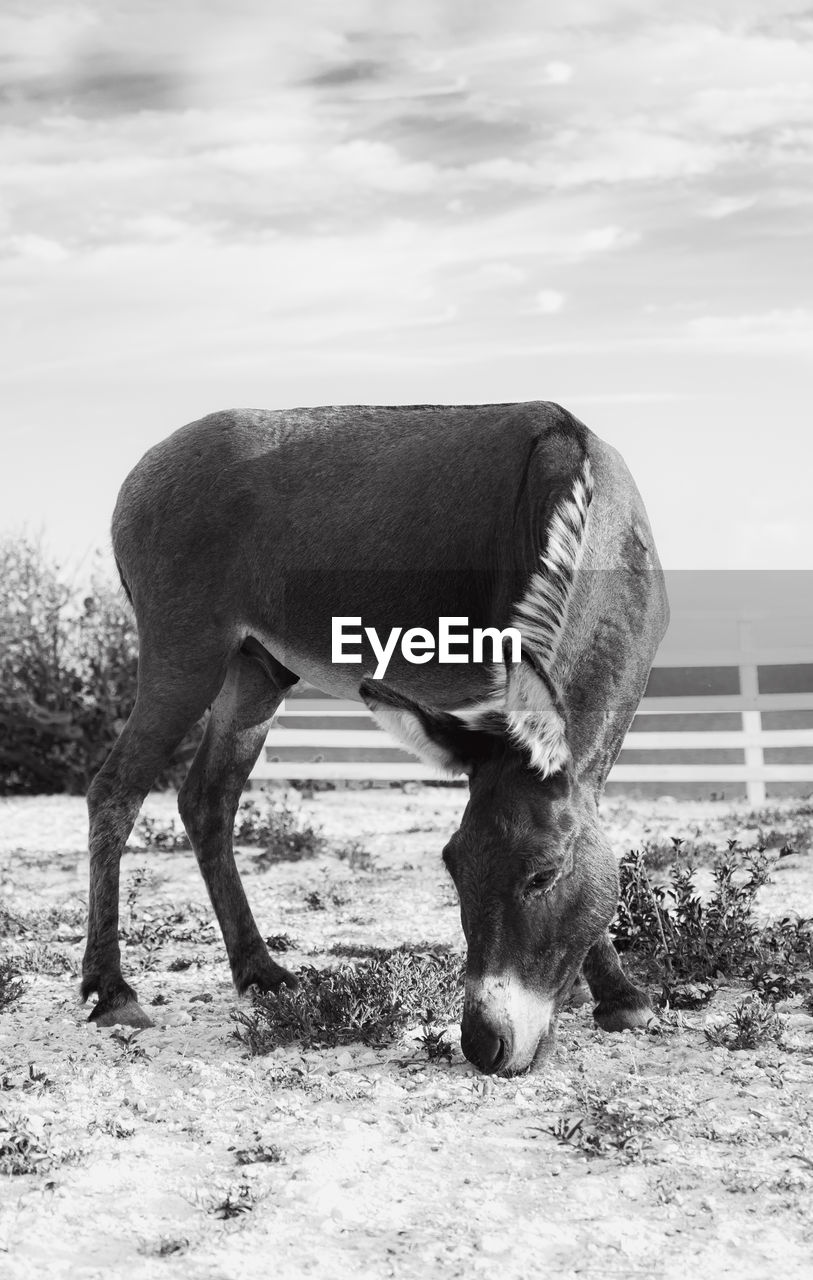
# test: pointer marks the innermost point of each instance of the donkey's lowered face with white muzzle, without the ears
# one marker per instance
(538, 886)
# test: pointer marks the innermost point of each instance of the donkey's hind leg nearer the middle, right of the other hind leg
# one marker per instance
(208, 802)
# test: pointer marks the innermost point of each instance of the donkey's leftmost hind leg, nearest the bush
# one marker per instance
(168, 705)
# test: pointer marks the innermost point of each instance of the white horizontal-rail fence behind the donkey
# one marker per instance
(712, 669)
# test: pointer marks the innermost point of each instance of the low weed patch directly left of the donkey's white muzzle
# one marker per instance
(371, 1003)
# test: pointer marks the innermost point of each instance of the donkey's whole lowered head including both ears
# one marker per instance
(537, 881)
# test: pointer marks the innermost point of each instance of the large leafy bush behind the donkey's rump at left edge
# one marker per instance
(68, 674)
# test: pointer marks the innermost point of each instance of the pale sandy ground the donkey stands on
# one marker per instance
(389, 1165)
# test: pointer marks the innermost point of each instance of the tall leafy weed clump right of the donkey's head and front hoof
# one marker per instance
(680, 939)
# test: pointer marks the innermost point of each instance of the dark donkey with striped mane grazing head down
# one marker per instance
(243, 536)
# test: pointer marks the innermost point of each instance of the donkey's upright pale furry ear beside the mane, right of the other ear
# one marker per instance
(536, 717)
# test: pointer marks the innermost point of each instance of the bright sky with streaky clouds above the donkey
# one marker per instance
(606, 203)
